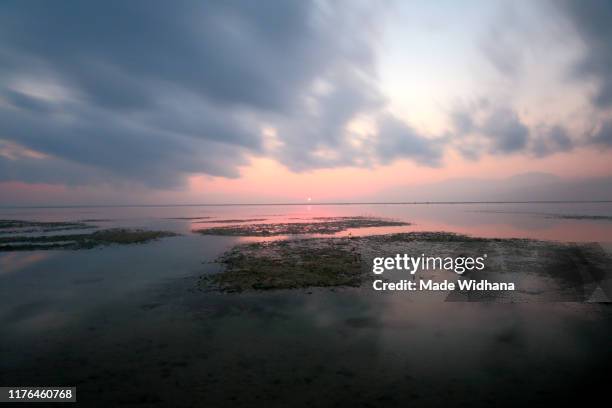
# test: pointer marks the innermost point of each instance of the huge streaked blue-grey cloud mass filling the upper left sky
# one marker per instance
(151, 91)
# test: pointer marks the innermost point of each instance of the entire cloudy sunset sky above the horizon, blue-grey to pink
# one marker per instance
(151, 102)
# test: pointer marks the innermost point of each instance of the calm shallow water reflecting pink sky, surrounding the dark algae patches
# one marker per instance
(128, 326)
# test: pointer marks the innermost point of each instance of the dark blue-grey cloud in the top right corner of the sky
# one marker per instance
(591, 19)
